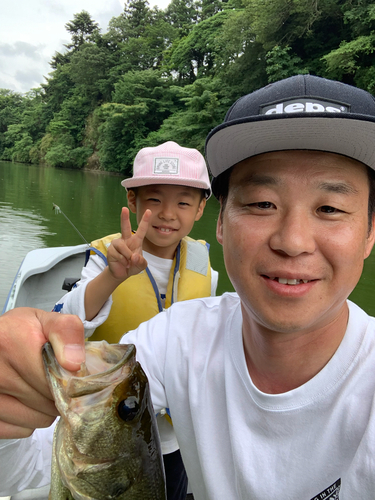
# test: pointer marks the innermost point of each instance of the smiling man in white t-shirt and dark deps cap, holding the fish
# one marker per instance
(271, 390)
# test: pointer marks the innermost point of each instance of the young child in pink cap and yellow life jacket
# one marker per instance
(168, 193)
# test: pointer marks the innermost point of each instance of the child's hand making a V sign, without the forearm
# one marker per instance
(125, 254)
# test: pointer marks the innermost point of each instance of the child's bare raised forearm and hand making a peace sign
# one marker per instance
(124, 258)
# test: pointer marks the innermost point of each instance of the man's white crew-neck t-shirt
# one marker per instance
(314, 442)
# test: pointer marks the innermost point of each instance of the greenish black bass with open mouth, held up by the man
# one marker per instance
(106, 443)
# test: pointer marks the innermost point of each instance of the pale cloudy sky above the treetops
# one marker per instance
(31, 31)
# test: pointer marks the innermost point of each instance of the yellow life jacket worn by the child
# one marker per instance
(137, 299)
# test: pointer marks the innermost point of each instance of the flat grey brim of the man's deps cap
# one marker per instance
(346, 134)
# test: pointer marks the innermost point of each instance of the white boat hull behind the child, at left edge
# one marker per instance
(40, 279)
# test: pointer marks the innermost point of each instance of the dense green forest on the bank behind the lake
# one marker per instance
(159, 75)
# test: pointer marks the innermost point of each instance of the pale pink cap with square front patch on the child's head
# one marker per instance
(169, 163)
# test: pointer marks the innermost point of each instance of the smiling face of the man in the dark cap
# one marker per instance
(295, 234)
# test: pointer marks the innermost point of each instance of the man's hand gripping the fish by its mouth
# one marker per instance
(25, 398)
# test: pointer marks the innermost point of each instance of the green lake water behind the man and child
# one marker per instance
(92, 201)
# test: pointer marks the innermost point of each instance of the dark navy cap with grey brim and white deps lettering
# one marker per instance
(300, 112)
